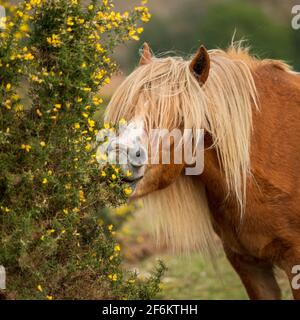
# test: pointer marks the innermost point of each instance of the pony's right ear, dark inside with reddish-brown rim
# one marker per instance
(200, 65)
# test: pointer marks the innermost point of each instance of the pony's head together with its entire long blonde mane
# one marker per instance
(213, 91)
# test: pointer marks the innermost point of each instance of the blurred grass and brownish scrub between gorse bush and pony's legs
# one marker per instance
(188, 277)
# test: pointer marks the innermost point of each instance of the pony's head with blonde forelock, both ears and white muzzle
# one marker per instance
(158, 95)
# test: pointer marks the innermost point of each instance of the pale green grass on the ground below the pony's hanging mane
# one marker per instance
(194, 278)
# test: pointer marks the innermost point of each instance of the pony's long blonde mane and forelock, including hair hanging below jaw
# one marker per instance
(168, 96)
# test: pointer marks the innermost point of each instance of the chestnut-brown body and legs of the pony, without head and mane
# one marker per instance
(269, 232)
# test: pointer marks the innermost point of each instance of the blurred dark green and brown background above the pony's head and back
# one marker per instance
(181, 26)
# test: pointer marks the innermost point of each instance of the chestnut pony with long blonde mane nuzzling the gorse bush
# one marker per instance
(248, 192)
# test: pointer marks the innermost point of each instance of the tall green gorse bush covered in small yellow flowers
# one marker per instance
(57, 239)
